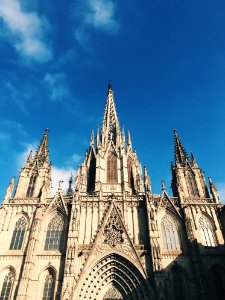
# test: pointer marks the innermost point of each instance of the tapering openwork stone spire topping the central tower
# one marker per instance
(110, 125)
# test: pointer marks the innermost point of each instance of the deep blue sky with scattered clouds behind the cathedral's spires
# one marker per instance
(166, 61)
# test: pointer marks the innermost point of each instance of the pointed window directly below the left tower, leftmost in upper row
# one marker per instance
(18, 234)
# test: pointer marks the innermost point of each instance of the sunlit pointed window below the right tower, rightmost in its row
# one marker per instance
(206, 231)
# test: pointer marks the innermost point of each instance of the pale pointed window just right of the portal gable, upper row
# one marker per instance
(170, 233)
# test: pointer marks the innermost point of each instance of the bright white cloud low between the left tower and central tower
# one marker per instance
(61, 174)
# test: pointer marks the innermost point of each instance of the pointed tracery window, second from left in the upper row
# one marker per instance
(54, 234)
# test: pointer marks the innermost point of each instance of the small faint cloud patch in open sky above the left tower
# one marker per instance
(57, 86)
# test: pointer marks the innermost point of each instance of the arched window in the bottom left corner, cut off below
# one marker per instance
(7, 281)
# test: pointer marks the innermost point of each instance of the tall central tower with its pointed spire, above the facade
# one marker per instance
(110, 164)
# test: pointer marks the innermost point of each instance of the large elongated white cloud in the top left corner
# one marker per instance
(26, 30)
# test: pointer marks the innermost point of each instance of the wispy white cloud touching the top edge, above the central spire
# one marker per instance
(97, 14)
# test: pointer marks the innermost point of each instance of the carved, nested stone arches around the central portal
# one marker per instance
(114, 270)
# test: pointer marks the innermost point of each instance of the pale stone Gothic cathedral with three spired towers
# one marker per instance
(108, 236)
